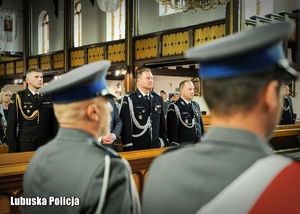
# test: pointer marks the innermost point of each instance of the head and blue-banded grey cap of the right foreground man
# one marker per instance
(244, 70)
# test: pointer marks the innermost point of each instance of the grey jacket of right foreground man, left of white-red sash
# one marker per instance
(183, 180)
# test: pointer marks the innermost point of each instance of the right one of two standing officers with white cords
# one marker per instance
(184, 122)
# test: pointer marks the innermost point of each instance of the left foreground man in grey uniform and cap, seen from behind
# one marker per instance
(74, 173)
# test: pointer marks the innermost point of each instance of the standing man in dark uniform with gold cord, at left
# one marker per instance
(30, 122)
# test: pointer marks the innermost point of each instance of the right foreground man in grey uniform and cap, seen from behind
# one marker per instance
(242, 75)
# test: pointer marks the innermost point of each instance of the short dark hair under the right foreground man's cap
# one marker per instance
(225, 96)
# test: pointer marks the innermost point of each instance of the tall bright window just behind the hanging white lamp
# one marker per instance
(116, 23)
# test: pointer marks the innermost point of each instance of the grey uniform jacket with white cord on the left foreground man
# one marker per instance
(72, 165)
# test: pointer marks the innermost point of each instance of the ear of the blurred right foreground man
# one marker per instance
(271, 95)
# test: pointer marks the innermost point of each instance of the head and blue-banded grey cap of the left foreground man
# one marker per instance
(80, 98)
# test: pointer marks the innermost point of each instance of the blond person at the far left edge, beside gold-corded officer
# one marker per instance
(5, 96)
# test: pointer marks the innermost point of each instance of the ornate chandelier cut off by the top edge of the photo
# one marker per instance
(193, 5)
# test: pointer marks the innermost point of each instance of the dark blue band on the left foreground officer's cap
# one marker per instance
(80, 93)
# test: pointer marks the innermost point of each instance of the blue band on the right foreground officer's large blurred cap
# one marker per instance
(239, 65)
